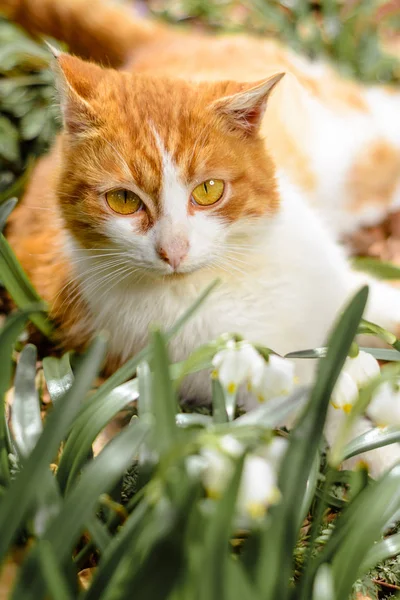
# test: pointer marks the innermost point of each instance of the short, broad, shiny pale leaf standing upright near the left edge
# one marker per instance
(25, 413)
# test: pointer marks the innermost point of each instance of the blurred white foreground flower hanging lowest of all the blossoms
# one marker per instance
(258, 488)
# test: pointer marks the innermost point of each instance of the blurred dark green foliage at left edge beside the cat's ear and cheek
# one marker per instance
(27, 109)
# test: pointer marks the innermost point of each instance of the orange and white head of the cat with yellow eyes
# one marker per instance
(171, 174)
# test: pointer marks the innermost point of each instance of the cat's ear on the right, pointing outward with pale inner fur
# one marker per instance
(245, 109)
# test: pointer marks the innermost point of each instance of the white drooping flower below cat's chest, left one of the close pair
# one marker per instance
(235, 364)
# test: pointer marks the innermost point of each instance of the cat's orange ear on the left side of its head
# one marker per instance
(76, 82)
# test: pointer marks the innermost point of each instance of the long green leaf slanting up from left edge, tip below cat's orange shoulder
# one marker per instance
(23, 490)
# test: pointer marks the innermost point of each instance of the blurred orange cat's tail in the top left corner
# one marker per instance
(94, 29)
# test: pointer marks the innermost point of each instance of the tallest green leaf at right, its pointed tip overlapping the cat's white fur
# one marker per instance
(274, 568)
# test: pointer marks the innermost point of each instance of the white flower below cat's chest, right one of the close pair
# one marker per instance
(276, 379)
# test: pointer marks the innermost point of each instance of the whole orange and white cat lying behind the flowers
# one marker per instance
(193, 157)
